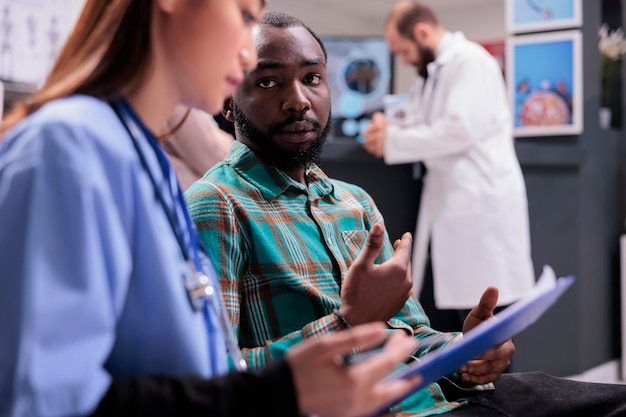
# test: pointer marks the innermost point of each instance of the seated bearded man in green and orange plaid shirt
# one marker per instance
(299, 254)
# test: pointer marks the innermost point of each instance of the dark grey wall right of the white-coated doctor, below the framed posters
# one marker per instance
(575, 220)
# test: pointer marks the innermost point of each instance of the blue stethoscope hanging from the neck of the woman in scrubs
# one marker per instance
(201, 290)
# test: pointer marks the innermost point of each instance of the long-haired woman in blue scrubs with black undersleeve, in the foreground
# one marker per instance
(108, 305)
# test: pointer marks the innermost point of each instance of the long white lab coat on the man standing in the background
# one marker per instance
(473, 205)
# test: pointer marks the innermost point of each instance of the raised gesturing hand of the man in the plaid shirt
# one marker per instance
(375, 292)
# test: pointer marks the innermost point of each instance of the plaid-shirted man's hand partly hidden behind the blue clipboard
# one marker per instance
(489, 366)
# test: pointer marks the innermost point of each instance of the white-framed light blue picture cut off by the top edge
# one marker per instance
(541, 15)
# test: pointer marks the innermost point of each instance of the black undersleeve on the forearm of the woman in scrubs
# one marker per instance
(268, 391)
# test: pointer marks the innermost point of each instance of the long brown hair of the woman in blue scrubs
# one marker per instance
(108, 49)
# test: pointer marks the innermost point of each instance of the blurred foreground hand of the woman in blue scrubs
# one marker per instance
(328, 388)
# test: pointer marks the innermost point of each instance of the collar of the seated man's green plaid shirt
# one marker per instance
(271, 181)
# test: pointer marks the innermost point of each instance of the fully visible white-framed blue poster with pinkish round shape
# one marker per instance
(544, 80)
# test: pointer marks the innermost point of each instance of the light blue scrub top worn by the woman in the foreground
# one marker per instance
(91, 274)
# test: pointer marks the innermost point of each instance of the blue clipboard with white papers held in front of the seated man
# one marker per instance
(509, 322)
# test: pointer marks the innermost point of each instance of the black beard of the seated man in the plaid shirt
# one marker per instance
(266, 148)
